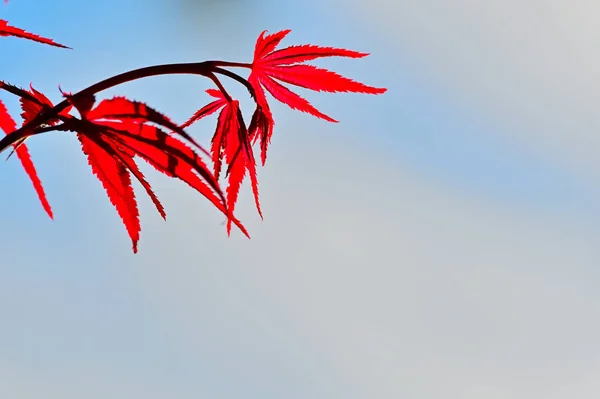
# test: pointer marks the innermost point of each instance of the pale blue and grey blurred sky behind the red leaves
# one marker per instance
(439, 242)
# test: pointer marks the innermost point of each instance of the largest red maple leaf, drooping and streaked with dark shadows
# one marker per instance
(118, 129)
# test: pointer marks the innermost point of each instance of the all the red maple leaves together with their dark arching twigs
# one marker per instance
(115, 133)
